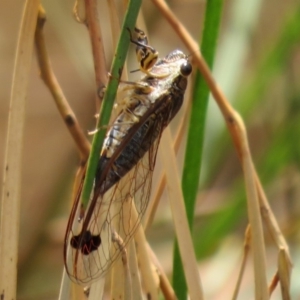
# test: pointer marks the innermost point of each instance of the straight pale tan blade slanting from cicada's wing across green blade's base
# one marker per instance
(180, 220)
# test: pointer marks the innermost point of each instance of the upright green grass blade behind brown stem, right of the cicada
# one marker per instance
(192, 163)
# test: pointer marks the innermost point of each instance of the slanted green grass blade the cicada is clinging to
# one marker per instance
(109, 97)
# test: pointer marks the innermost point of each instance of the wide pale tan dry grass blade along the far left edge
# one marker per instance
(10, 204)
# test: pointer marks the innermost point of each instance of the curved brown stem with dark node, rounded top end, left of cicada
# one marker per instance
(61, 102)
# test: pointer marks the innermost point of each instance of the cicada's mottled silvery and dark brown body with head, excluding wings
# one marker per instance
(152, 105)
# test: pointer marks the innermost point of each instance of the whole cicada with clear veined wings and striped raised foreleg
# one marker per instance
(126, 164)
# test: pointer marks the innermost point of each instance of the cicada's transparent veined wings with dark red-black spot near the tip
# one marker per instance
(90, 249)
